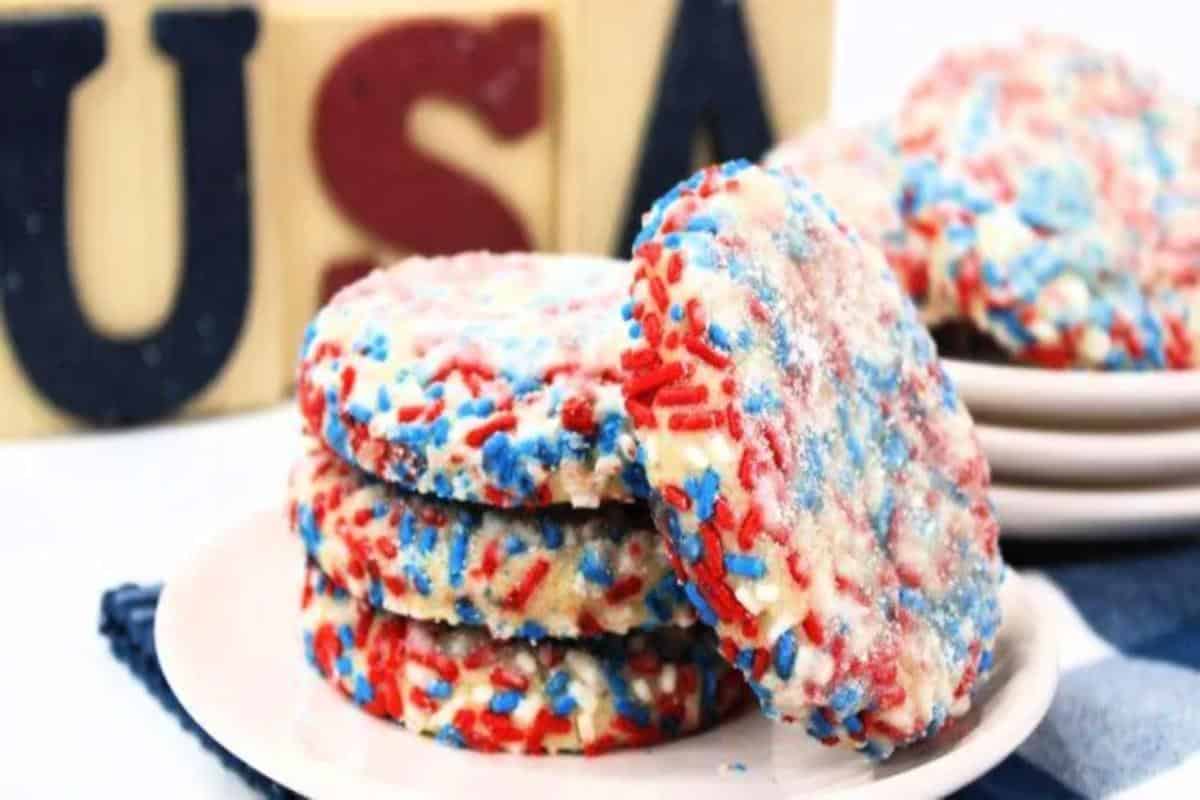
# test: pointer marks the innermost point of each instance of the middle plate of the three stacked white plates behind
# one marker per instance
(1097, 458)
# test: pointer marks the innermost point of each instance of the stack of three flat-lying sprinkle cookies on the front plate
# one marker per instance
(455, 412)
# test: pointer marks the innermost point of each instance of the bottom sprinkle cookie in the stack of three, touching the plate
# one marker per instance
(472, 691)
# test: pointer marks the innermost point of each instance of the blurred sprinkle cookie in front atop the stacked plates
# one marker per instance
(1060, 190)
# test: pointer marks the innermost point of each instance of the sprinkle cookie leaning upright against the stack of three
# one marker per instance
(814, 471)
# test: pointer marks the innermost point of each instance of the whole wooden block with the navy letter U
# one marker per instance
(137, 272)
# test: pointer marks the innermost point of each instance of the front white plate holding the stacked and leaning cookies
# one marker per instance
(229, 641)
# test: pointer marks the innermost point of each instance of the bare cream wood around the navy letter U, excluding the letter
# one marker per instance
(124, 209)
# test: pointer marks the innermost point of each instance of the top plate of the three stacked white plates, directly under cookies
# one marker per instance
(1075, 399)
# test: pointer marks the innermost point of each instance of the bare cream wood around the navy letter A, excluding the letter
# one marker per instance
(614, 53)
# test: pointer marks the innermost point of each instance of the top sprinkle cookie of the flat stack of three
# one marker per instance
(481, 378)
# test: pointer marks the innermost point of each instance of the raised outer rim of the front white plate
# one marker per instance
(1033, 687)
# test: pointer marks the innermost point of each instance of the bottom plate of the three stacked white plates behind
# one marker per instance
(1096, 514)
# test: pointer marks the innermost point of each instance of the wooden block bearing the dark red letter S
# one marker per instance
(410, 128)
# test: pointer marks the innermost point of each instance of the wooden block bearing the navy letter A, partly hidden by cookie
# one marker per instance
(658, 88)
